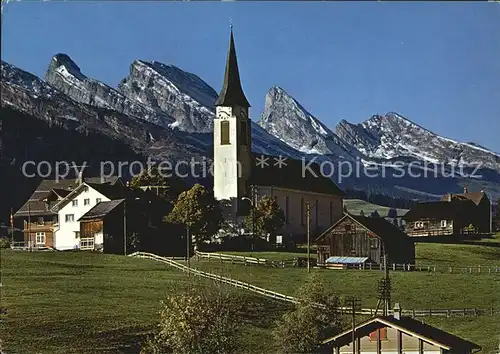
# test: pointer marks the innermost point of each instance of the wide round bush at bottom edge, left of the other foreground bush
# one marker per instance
(198, 321)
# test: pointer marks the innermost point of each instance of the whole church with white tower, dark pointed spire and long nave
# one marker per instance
(243, 177)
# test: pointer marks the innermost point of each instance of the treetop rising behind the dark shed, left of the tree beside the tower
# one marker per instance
(171, 187)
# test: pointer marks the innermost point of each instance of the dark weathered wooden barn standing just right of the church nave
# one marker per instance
(359, 239)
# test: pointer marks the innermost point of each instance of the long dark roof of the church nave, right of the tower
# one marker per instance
(290, 176)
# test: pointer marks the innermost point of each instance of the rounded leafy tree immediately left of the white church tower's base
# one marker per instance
(198, 210)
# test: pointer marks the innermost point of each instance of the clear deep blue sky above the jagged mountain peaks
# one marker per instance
(438, 64)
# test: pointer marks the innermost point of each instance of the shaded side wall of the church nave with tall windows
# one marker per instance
(320, 210)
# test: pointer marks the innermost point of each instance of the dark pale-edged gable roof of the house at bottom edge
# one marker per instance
(409, 326)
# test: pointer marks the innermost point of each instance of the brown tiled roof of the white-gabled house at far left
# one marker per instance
(34, 206)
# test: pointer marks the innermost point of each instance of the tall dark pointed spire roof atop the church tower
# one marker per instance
(232, 93)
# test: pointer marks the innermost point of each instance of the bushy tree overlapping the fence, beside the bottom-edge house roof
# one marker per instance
(302, 329)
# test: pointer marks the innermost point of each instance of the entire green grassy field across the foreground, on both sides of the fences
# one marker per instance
(94, 303)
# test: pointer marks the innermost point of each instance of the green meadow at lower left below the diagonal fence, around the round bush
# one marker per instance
(93, 303)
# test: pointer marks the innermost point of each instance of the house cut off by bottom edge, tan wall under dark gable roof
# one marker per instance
(397, 334)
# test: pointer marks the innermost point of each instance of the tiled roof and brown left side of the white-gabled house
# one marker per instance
(36, 217)
